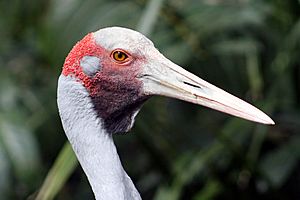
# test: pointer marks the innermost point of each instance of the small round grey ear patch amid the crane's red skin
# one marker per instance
(90, 65)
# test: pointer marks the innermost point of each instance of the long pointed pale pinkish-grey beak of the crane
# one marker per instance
(163, 77)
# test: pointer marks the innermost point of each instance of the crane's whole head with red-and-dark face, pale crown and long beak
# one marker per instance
(120, 68)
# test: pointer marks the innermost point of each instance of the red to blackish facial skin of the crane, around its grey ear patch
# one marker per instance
(115, 91)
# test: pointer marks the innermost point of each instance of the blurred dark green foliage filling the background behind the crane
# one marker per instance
(176, 150)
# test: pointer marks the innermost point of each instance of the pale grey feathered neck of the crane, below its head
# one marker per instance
(93, 146)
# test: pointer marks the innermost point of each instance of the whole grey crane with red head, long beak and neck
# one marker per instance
(106, 78)
